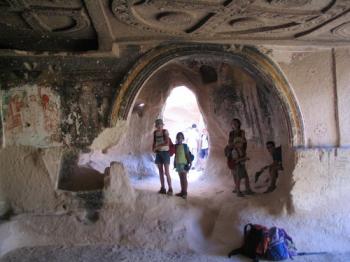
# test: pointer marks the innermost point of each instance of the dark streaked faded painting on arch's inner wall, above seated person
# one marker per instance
(238, 95)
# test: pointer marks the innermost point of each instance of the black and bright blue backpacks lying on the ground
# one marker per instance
(271, 244)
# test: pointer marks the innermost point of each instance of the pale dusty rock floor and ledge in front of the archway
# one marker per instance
(156, 228)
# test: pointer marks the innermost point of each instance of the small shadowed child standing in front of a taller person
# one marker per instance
(239, 171)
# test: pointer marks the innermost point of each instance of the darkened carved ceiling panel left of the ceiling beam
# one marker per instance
(46, 25)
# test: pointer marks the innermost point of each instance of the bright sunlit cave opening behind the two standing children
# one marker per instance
(180, 113)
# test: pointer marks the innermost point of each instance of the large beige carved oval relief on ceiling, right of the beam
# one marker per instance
(228, 18)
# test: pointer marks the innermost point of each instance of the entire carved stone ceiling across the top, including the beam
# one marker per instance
(77, 25)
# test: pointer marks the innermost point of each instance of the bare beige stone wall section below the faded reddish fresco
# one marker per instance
(25, 181)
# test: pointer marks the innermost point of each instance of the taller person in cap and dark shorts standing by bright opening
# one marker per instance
(161, 148)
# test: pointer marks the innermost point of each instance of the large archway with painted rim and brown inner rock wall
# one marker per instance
(242, 83)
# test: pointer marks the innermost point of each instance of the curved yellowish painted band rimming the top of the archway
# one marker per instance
(253, 60)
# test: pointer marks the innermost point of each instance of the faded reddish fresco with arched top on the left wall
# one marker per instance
(31, 116)
